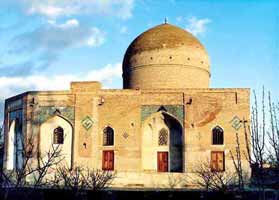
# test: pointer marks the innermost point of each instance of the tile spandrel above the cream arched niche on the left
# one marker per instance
(45, 112)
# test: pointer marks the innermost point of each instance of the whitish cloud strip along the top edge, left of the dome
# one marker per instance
(59, 8)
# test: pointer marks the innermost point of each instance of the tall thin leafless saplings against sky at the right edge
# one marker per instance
(262, 142)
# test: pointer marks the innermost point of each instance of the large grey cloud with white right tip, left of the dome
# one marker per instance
(43, 45)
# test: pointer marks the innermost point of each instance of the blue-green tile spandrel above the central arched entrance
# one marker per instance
(175, 110)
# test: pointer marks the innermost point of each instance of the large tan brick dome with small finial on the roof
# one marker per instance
(165, 56)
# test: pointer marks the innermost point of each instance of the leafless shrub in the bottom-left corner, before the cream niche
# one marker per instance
(33, 170)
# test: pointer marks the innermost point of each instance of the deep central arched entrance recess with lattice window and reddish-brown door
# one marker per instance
(162, 143)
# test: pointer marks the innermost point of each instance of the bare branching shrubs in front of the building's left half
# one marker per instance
(49, 171)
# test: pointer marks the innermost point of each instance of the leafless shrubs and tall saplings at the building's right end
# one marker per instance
(261, 151)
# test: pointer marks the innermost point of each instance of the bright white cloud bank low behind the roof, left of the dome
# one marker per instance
(10, 86)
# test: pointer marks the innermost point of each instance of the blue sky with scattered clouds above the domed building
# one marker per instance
(46, 44)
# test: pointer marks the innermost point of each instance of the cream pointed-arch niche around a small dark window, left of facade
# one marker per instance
(47, 131)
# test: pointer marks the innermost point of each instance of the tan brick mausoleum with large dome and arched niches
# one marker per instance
(160, 127)
